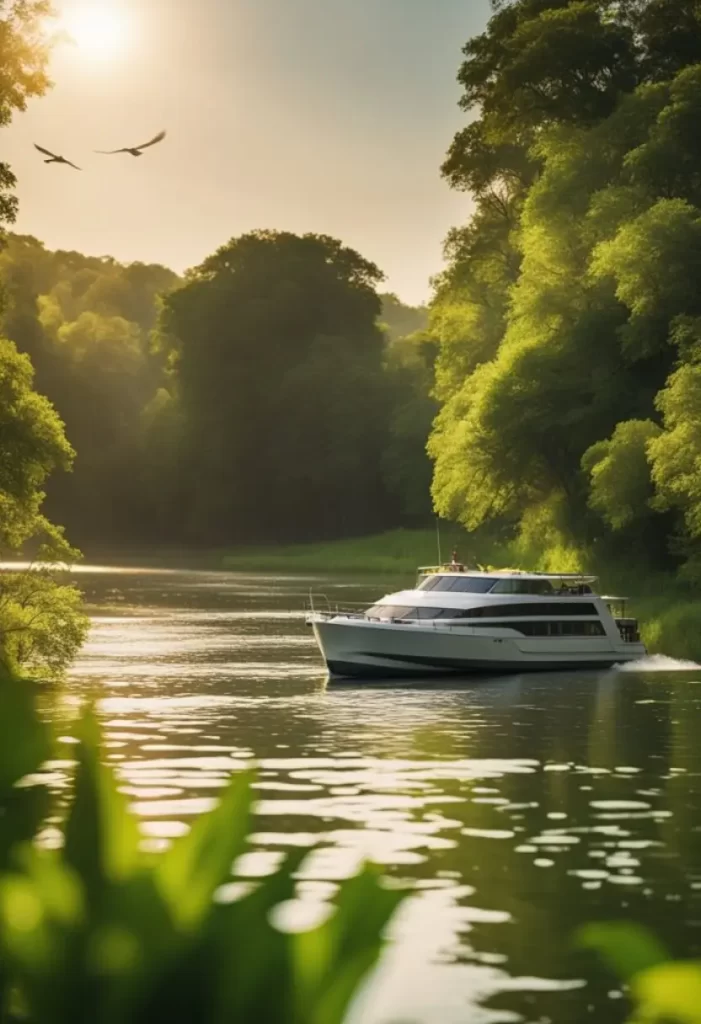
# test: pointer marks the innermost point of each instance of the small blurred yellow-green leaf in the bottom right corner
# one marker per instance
(670, 994)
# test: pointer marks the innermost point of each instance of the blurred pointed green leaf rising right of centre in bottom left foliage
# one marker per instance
(198, 865)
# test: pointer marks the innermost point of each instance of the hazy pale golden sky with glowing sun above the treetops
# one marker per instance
(330, 116)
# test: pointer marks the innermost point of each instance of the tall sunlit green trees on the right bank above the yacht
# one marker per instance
(568, 322)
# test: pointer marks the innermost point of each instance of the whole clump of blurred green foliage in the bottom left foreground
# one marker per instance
(101, 931)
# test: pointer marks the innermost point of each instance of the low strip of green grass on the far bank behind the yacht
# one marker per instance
(399, 551)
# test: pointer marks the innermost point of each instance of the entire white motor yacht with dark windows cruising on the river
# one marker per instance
(457, 622)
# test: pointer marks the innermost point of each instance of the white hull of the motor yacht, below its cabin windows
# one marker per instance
(359, 650)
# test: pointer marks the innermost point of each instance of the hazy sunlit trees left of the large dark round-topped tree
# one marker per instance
(89, 326)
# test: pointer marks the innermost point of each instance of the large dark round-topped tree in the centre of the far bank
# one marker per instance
(280, 371)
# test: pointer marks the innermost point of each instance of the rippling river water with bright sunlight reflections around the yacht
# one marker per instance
(514, 809)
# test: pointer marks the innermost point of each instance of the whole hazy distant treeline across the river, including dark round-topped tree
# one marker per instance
(273, 395)
